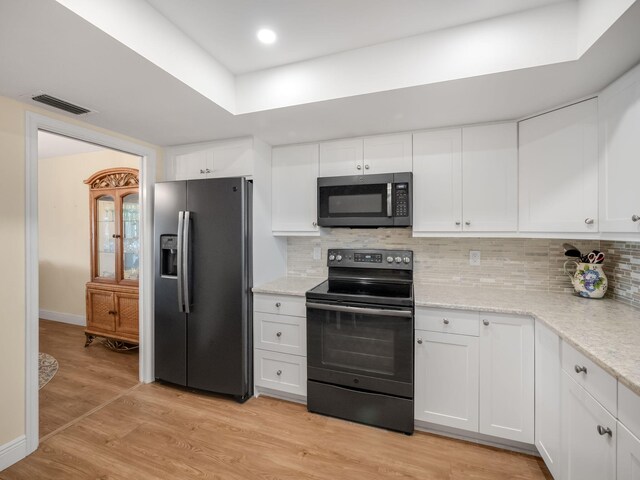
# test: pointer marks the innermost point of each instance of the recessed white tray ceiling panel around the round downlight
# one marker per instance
(312, 28)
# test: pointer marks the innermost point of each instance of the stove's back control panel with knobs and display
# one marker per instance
(368, 258)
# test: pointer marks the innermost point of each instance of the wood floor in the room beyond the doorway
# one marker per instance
(86, 378)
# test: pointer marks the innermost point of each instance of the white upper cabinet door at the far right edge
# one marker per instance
(619, 147)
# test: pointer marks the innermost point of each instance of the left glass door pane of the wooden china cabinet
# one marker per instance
(106, 242)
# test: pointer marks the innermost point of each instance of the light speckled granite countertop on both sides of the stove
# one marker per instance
(606, 331)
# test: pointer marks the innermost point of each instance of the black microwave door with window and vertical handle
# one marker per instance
(355, 201)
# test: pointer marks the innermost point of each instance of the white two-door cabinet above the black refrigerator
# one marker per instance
(228, 158)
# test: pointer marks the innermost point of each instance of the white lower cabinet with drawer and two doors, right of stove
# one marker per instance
(481, 384)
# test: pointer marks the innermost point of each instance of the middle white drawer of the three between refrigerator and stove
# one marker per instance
(280, 333)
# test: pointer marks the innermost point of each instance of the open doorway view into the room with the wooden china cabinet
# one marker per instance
(74, 237)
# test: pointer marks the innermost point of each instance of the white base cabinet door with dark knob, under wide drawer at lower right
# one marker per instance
(586, 454)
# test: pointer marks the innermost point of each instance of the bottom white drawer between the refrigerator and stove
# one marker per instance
(280, 371)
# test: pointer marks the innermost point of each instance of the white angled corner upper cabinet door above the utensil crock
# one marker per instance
(559, 170)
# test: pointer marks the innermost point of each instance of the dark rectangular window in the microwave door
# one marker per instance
(353, 201)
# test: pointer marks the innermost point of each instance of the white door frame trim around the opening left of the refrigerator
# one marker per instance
(35, 123)
